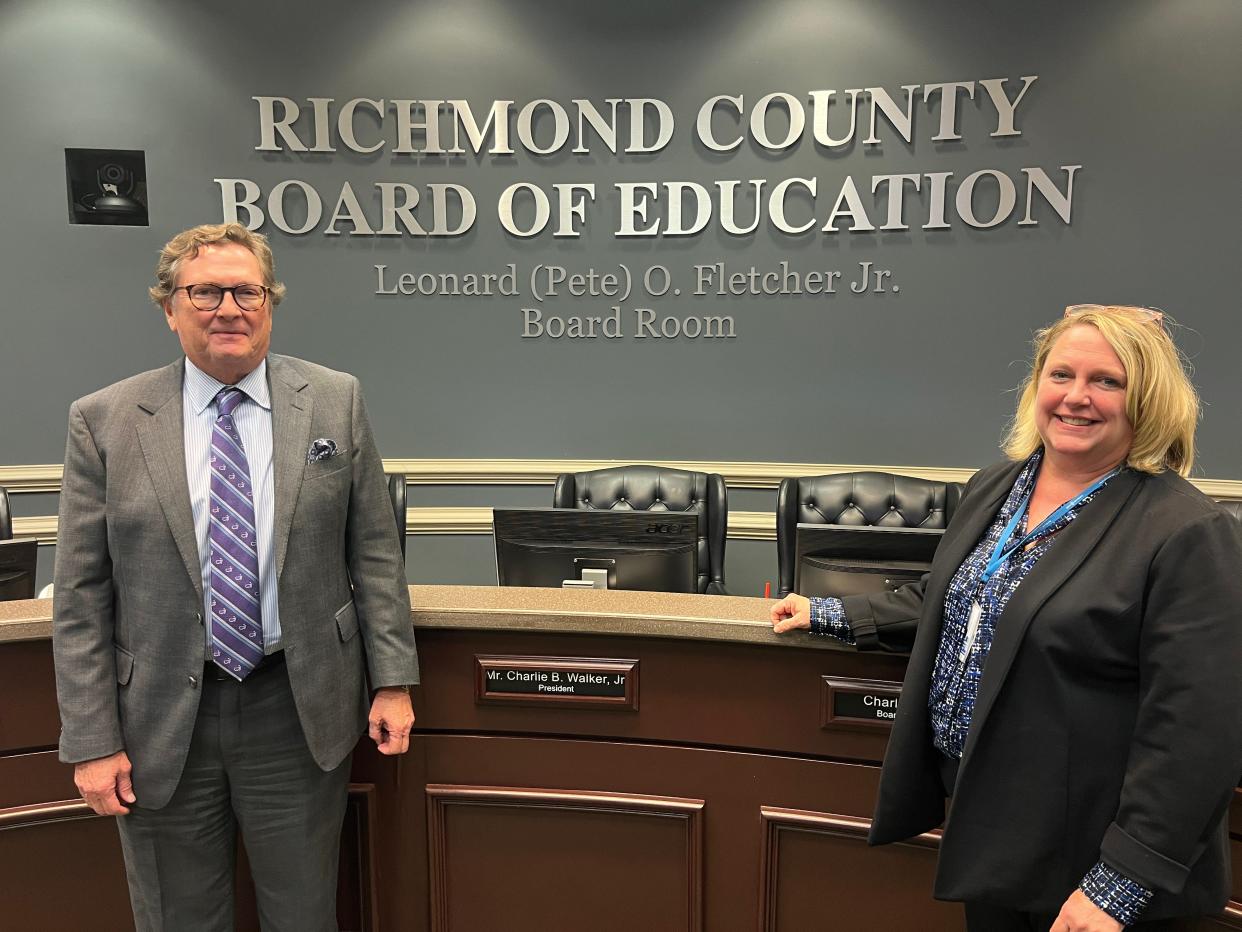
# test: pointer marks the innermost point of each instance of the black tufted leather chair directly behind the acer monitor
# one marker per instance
(655, 489)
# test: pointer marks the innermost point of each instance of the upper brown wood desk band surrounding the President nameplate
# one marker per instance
(694, 693)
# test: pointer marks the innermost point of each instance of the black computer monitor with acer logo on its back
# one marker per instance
(623, 550)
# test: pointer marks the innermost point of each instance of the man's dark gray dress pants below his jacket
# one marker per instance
(249, 767)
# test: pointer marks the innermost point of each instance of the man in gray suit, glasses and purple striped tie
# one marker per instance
(228, 562)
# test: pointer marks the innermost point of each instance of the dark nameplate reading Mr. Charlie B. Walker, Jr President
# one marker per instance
(591, 683)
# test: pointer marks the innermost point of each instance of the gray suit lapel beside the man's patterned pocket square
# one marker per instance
(291, 439)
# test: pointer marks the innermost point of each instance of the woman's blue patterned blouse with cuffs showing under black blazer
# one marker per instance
(956, 684)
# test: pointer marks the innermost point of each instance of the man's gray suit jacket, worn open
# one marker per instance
(127, 628)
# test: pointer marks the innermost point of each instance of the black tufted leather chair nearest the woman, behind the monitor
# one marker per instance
(858, 500)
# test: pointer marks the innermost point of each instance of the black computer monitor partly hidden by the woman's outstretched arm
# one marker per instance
(838, 560)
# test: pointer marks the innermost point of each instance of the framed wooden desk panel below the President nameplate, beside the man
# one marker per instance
(530, 861)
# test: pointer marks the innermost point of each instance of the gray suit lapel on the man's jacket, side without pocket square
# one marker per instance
(162, 438)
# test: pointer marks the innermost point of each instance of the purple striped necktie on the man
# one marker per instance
(233, 540)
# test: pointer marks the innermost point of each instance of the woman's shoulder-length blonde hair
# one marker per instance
(1161, 403)
